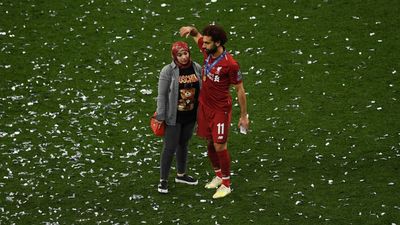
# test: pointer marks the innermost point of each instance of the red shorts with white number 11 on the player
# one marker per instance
(212, 124)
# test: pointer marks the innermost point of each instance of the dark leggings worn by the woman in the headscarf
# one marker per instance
(176, 139)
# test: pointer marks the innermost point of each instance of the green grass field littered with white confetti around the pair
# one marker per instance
(78, 82)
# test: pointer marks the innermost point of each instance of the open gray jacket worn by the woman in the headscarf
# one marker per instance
(168, 91)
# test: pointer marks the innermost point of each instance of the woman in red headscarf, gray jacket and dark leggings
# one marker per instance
(178, 91)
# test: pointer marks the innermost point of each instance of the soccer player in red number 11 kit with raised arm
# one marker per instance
(219, 72)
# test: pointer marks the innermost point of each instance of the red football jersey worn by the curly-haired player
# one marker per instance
(215, 91)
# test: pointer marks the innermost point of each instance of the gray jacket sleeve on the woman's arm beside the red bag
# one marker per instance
(162, 97)
